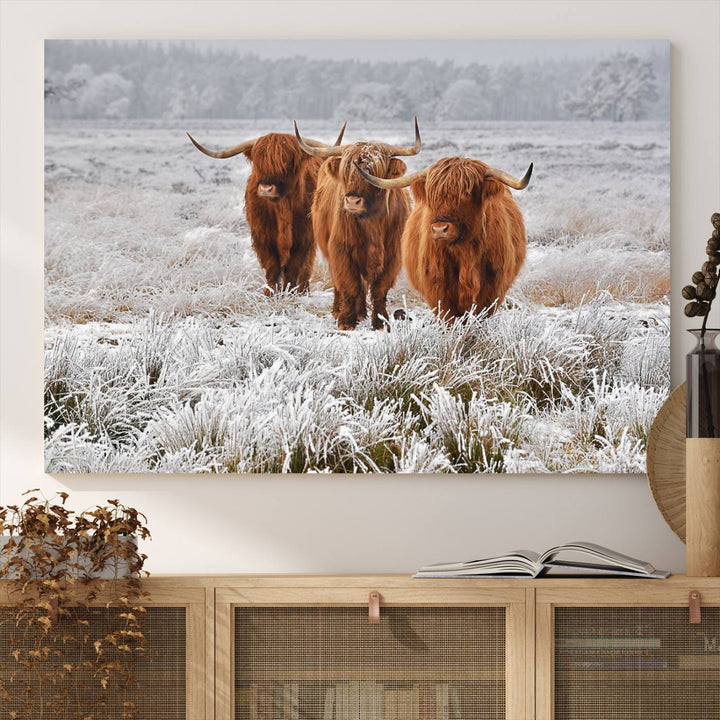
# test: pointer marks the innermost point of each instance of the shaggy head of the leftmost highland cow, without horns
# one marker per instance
(276, 160)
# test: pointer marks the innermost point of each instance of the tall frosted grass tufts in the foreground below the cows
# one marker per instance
(520, 391)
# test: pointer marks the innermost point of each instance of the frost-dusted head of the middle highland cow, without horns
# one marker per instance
(360, 198)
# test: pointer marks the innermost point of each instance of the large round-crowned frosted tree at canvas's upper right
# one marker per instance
(619, 88)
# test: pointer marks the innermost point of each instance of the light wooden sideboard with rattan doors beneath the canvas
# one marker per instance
(264, 647)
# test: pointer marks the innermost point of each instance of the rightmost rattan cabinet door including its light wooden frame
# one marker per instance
(627, 655)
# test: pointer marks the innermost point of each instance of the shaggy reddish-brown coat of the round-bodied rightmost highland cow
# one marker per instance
(478, 261)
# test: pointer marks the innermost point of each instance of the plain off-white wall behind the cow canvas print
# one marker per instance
(341, 524)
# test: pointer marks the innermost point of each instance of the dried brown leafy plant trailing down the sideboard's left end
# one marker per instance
(74, 623)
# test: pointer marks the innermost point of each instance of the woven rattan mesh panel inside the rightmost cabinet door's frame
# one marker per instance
(624, 663)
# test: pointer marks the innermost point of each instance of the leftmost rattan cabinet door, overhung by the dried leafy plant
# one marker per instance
(166, 681)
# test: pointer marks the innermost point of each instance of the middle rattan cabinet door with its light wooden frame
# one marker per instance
(328, 662)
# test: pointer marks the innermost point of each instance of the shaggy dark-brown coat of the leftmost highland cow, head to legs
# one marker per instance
(280, 227)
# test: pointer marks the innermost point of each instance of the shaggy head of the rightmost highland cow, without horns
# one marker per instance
(453, 191)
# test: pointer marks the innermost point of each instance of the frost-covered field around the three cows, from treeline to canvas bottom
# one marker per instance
(163, 353)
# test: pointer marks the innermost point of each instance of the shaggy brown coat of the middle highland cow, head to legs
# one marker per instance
(362, 247)
